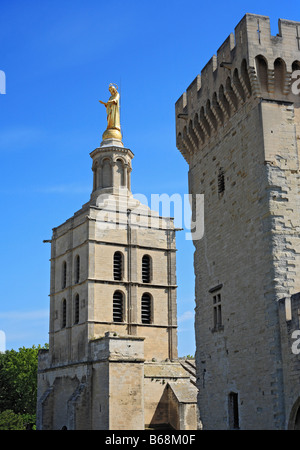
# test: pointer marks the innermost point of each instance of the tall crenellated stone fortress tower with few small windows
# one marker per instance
(238, 128)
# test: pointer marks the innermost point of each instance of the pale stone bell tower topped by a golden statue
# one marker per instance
(112, 360)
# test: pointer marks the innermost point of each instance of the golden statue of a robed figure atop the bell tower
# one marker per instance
(113, 130)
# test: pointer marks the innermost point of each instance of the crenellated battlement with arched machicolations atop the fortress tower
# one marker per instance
(251, 63)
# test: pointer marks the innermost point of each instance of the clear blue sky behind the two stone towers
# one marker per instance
(59, 57)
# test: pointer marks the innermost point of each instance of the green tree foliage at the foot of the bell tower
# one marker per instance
(18, 380)
